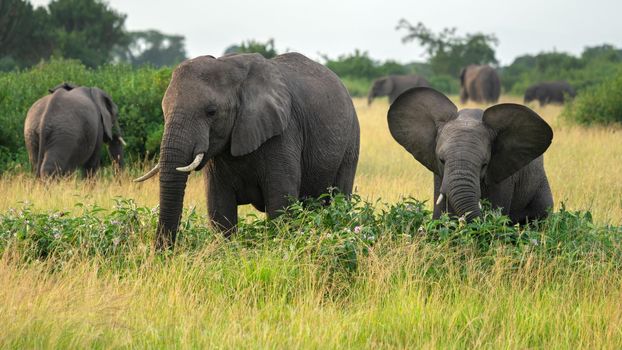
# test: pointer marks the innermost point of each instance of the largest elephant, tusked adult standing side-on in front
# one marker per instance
(265, 129)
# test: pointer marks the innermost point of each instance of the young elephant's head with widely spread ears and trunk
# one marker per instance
(470, 148)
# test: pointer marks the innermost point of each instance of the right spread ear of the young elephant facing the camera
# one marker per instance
(520, 136)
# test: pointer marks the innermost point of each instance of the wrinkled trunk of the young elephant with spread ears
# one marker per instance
(463, 190)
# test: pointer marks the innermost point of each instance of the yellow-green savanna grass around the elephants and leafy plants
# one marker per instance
(278, 293)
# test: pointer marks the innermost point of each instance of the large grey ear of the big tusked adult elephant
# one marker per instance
(265, 106)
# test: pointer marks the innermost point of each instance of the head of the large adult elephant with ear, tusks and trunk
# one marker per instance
(230, 105)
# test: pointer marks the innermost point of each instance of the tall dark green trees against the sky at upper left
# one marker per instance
(87, 30)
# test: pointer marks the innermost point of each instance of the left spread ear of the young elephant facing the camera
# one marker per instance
(414, 119)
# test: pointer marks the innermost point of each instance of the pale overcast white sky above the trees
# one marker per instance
(336, 27)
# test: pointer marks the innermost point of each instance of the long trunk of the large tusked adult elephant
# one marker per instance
(175, 151)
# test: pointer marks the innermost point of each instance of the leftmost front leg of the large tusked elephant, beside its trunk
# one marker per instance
(222, 207)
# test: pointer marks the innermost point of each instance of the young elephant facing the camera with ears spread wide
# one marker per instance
(495, 154)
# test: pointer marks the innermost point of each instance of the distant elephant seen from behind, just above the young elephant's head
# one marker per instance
(479, 84)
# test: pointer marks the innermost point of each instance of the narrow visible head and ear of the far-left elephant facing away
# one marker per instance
(109, 113)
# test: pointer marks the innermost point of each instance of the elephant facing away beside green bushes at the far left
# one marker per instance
(65, 130)
